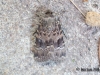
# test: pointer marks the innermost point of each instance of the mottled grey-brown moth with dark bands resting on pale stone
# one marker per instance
(49, 42)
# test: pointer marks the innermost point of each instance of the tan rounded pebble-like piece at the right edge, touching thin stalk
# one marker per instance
(93, 18)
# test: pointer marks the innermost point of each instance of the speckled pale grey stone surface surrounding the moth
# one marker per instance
(16, 18)
